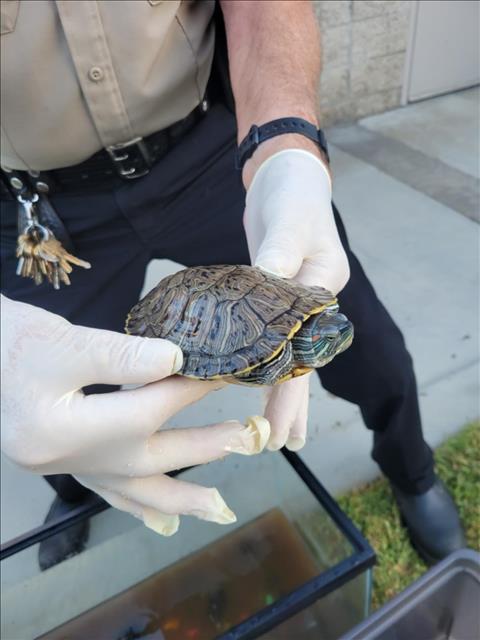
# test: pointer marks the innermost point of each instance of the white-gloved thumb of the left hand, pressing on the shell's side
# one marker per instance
(115, 358)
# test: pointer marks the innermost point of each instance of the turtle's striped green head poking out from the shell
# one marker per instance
(321, 338)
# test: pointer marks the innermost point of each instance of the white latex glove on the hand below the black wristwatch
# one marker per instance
(291, 232)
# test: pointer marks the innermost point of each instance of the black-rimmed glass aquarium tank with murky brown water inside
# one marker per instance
(292, 565)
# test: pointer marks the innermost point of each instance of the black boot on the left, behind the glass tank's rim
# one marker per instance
(68, 542)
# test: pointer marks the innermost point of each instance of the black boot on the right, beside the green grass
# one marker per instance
(432, 521)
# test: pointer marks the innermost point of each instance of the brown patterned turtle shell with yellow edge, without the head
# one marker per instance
(226, 319)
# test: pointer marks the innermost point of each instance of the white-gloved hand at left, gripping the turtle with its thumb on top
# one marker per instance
(111, 442)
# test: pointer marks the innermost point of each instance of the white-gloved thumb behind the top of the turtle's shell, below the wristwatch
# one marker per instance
(279, 253)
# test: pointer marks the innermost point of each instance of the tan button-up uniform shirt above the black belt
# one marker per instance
(79, 75)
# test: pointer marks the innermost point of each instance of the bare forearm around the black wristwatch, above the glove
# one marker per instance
(274, 55)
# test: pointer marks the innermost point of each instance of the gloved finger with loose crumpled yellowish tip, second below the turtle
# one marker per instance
(180, 448)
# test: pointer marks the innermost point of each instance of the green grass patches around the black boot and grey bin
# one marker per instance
(373, 510)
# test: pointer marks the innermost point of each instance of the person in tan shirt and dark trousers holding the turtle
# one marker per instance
(118, 123)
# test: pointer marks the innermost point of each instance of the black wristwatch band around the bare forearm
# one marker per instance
(257, 135)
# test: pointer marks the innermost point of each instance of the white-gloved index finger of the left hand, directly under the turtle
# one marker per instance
(138, 411)
